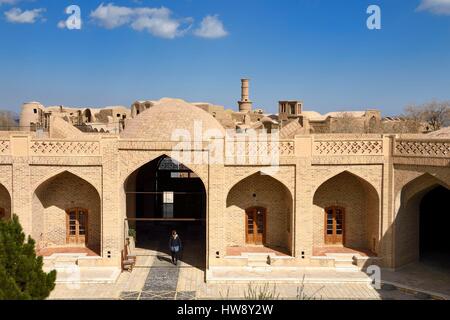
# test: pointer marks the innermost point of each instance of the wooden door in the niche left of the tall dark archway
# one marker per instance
(77, 226)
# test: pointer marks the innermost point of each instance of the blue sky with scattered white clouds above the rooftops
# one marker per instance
(318, 51)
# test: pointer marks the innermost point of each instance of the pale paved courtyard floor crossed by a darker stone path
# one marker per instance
(155, 278)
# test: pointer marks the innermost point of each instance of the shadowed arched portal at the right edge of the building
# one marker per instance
(421, 223)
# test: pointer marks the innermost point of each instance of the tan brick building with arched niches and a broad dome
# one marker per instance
(372, 197)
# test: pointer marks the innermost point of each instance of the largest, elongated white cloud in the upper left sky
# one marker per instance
(157, 21)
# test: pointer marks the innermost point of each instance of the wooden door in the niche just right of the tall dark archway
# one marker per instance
(255, 226)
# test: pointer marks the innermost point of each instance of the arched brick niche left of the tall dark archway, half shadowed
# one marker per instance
(52, 199)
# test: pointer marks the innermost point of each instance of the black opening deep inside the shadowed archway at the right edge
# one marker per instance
(434, 226)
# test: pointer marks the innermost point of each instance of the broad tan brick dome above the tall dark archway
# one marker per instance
(167, 115)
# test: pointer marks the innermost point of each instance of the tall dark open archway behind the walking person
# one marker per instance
(165, 195)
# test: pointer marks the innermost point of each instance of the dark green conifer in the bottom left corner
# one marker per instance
(21, 274)
